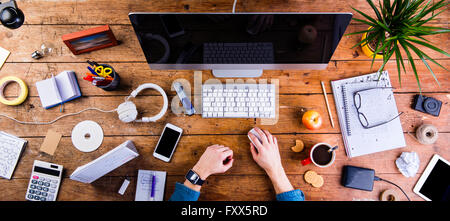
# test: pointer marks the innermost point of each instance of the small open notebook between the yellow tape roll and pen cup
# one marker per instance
(58, 89)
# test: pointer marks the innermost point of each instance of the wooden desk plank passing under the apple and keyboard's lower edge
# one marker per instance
(289, 119)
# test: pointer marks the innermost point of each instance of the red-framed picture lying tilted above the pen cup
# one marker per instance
(90, 39)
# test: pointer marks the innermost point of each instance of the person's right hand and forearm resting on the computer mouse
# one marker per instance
(267, 156)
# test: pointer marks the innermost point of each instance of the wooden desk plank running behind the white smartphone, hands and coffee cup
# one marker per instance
(191, 148)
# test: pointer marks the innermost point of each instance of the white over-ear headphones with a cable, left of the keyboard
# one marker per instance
(128, 113)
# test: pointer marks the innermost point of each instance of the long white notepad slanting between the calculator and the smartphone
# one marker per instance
(106, 163)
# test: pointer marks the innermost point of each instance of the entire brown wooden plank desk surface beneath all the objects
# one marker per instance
(46, 21)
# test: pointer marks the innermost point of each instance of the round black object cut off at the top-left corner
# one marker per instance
(10, 15)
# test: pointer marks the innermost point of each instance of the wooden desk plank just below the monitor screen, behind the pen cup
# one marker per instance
(290, 81)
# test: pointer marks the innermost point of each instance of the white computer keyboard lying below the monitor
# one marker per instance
(238, 100)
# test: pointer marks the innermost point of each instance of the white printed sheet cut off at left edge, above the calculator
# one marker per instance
(11, 148)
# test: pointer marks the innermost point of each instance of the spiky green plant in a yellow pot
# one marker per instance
(401, 26)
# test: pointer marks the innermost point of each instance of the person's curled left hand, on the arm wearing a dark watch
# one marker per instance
(216, 159)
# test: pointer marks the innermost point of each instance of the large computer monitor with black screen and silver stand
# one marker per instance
(239, 44)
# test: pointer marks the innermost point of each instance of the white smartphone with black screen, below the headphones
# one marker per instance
(167, 142)
